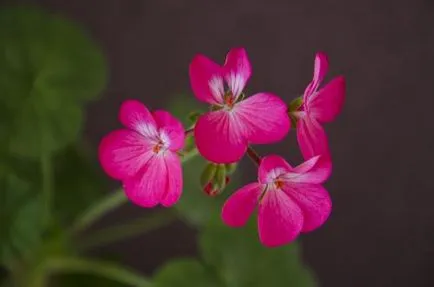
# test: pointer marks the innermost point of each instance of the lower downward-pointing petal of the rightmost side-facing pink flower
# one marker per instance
(311, 138)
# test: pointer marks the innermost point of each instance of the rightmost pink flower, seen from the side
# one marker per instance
(319, 106)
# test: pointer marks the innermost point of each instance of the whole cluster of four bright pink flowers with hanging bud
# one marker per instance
(290, 200)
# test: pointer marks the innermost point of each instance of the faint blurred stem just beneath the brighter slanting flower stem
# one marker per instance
(125, 231)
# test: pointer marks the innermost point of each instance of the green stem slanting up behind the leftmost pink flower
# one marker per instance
(111, 202)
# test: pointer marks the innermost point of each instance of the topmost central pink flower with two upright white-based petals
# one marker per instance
(223, 134)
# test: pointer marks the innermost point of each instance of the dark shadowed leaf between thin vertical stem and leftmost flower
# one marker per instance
(78, 182)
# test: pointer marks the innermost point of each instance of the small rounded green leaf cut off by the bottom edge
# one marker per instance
(185, 272)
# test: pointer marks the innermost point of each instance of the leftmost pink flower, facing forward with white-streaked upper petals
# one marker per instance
(144, 155)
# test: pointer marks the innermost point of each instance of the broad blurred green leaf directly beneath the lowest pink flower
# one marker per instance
(242, 261)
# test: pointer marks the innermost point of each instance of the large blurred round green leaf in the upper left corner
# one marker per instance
(48, 68)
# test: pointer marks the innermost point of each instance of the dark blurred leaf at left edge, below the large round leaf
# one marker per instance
(21, 222)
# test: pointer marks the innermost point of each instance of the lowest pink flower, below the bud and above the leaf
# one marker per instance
(290, 199)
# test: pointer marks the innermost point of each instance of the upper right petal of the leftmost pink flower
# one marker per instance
(170, 127)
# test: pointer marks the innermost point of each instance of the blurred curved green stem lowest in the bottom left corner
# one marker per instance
(96, 267)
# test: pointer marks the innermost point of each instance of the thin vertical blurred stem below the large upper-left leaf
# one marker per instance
(47, 182)
